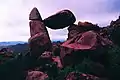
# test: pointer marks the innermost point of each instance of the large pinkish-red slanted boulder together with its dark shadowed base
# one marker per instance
(82, 45)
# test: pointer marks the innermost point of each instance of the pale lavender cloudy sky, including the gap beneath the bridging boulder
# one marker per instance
(14, 15)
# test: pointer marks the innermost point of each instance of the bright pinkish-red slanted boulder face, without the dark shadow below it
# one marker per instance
(86, 41)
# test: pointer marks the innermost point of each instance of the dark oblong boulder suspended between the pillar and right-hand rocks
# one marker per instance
(60, 20)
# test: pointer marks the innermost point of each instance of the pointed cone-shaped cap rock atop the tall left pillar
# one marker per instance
(35, 15)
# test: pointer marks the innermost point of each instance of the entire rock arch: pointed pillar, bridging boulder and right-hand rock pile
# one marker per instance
(84, 39)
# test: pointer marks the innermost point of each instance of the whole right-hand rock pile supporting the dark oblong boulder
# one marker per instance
(84, 39)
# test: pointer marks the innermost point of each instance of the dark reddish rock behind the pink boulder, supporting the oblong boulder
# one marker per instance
(74, 29)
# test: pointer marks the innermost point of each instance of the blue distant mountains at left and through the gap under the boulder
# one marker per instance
(19, 46)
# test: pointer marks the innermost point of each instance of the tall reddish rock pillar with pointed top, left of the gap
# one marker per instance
(39, 40)
